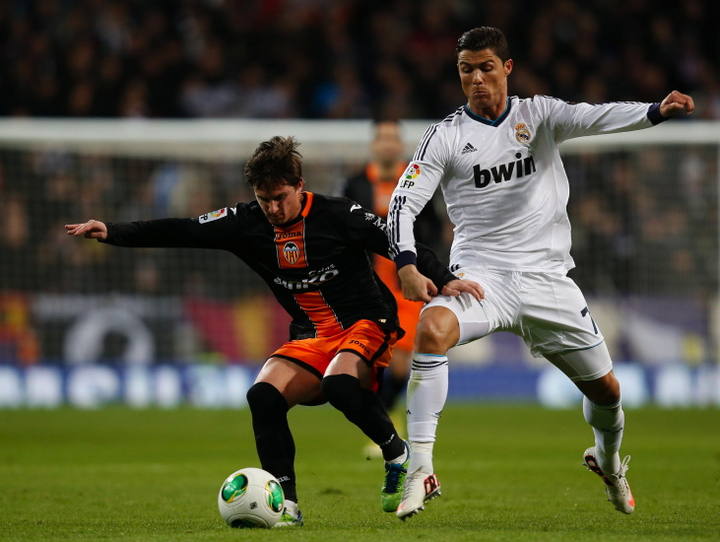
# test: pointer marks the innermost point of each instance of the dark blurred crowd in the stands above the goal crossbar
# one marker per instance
(339, 58)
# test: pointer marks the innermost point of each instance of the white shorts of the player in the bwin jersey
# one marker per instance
(547, 310)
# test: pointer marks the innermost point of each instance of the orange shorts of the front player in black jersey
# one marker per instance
(364, 338)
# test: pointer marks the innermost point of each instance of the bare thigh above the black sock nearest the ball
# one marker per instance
(297, 384)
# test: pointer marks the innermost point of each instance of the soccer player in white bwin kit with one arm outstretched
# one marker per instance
(497, 162)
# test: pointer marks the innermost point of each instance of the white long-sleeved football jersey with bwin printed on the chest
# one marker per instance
(503, 181)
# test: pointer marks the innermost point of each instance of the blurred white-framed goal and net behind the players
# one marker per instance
(644, 208)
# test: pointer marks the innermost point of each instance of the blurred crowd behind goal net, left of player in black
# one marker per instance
(45, 190)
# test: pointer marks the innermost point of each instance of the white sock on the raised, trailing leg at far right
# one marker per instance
(608, 422)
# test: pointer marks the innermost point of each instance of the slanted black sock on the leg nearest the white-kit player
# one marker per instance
(364, 408)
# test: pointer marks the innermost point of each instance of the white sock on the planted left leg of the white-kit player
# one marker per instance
(426, 395)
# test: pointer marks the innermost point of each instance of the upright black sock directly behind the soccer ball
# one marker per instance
(273, 439)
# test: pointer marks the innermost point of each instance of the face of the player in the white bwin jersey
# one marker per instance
(483, 77)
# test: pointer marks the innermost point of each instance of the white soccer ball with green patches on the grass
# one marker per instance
(251, 498)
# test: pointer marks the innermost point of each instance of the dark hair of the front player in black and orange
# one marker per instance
(273, 163)
